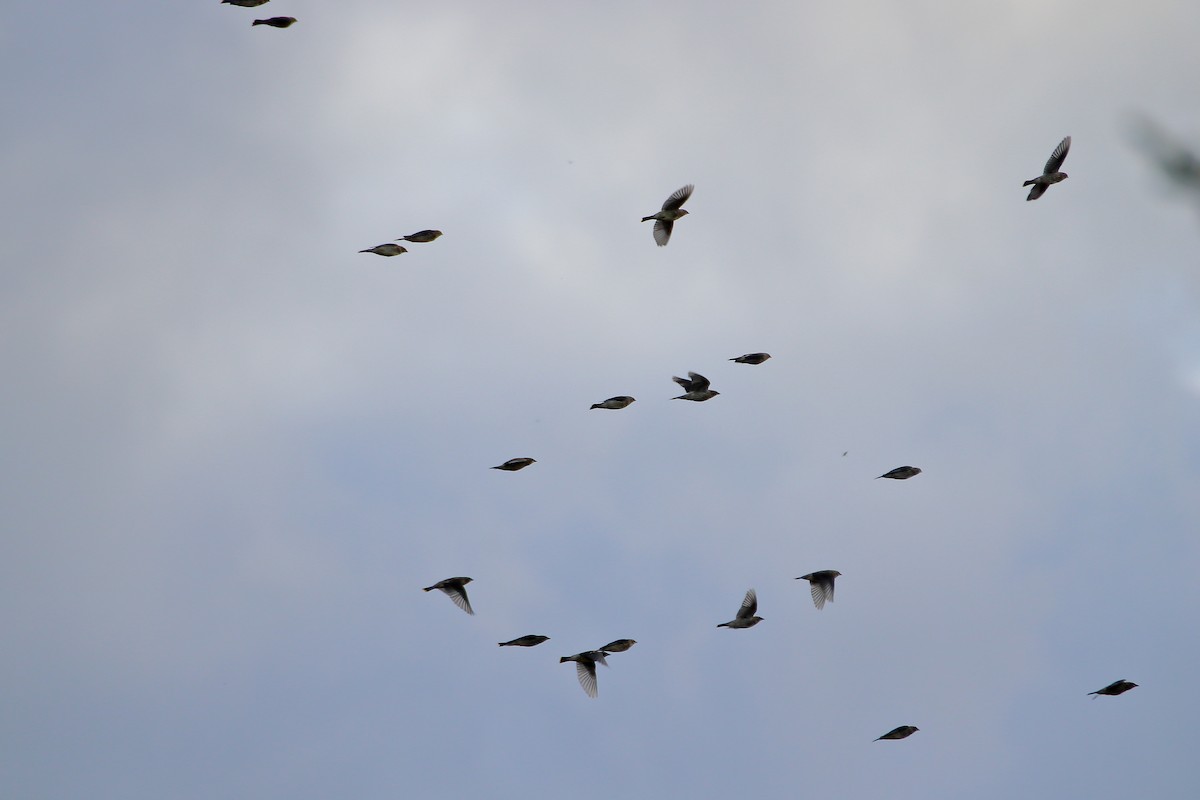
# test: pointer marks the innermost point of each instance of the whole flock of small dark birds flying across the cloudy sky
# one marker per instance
(697, 388)
